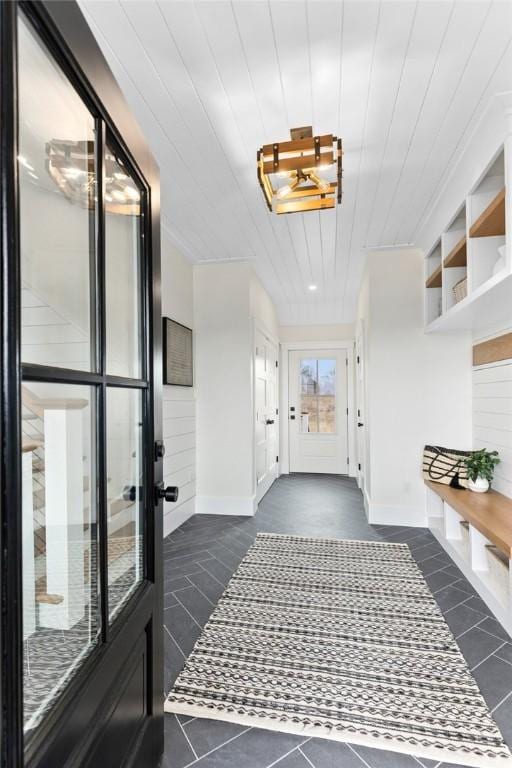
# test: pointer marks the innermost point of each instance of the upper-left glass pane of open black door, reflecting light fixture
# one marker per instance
(57, 189)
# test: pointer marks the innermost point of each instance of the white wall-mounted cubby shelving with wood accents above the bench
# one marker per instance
(470, 267)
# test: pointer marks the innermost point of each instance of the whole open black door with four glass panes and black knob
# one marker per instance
(81, 523)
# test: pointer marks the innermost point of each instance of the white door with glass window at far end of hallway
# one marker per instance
(318, 419)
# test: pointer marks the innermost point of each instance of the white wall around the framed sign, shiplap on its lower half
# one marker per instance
(179, 419)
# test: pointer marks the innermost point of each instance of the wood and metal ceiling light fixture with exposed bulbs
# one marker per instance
(300, 161)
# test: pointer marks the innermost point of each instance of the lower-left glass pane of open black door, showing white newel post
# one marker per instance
(61, 621)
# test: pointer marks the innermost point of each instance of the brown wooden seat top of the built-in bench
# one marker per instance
(490, 513)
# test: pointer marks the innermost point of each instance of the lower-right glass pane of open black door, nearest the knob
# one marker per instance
(125, 494)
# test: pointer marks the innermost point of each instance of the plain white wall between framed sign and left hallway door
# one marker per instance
(228, 301)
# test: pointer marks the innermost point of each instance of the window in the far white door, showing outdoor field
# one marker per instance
(318, 395)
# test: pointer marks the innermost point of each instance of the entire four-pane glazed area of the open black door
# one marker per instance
(85, 398)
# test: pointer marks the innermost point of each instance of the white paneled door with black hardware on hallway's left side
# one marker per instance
(266, 412)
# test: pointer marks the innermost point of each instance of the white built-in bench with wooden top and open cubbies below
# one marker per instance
(476, 531)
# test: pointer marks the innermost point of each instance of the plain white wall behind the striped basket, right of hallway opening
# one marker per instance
(418, 387)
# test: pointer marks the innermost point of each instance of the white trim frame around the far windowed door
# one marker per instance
(284, 400)
